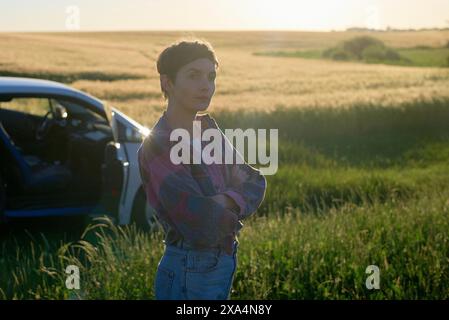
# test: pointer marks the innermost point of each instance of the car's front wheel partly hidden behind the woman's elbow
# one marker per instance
(144, 216)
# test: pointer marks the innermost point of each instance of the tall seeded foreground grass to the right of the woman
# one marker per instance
(324, 256)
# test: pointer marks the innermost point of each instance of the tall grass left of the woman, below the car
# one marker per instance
(114, 262)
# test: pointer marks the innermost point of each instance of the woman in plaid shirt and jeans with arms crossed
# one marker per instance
(200, 206)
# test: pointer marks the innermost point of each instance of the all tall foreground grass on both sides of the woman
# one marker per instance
(295, 255)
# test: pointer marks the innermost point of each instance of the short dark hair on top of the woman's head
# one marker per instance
(182, 52)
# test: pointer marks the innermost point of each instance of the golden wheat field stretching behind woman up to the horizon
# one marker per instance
(120, 68)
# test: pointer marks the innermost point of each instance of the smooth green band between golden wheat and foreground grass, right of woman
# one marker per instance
(328, 157)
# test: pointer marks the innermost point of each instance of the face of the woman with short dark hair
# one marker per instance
(194, 85)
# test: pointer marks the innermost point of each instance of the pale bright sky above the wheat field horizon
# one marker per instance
(308, 15)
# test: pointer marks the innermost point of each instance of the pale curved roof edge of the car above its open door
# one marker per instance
(30, 86)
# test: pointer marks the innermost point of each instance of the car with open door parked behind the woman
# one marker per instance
(64, 152)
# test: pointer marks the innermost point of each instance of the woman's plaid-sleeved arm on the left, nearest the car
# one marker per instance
(201, 220)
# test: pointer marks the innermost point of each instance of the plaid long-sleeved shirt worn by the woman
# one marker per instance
(180, 193)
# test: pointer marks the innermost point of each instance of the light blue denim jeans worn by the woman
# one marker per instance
(185, 274)
